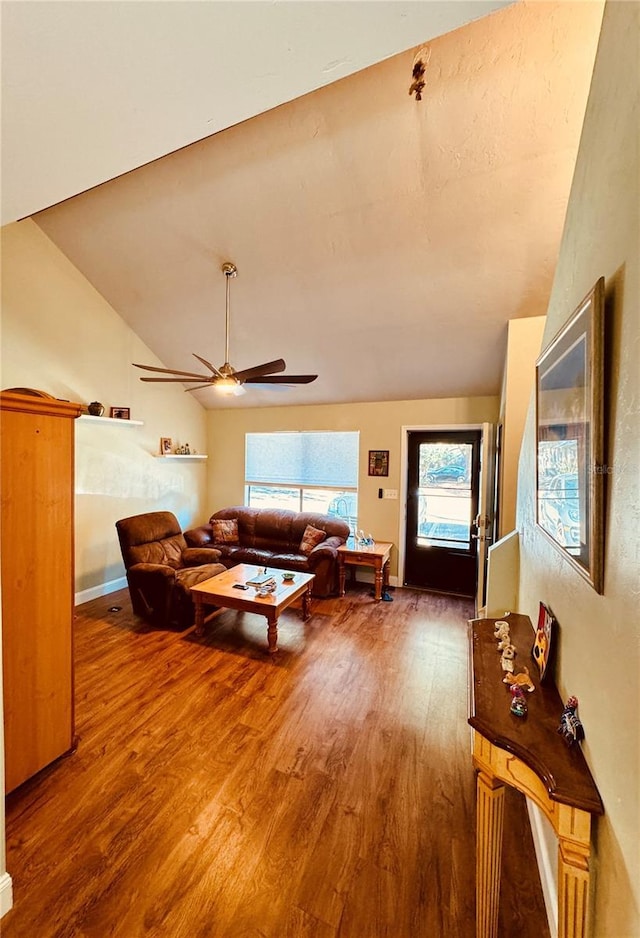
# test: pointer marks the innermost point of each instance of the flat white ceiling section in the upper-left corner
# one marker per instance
(93, 89)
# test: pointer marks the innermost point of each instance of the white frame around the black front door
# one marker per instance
(485, 506)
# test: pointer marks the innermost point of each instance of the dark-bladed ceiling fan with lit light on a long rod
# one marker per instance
(225, 379)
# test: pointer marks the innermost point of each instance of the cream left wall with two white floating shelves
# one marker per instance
(59, 335)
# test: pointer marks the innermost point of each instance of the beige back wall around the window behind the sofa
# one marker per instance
(380, 428)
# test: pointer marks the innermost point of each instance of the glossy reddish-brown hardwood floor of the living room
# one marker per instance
(216, 793)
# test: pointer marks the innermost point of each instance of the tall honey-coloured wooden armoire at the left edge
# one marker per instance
(37, 544)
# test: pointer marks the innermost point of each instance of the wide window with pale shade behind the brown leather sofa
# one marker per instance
(304, 471)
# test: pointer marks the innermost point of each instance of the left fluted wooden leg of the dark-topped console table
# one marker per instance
(489, 824)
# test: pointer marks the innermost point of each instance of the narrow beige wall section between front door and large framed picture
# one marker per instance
(523, 348)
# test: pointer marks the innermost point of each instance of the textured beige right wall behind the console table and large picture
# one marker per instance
(600, 635)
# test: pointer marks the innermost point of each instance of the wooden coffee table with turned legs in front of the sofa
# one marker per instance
(220, 591)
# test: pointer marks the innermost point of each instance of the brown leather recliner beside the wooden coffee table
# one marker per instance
(161, 568)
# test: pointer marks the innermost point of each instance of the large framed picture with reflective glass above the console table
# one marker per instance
(570, 439)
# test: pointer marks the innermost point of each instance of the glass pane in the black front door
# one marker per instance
(444, 495)
